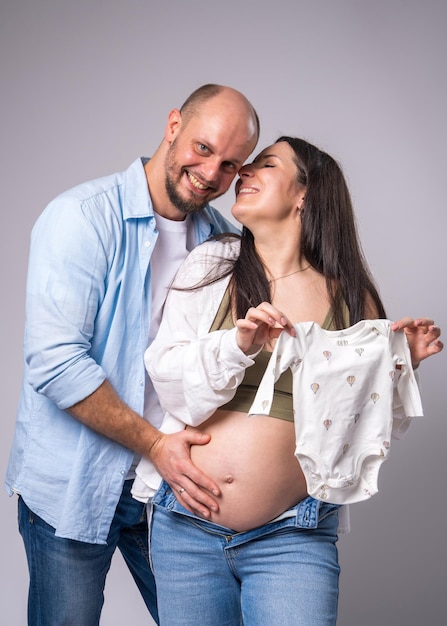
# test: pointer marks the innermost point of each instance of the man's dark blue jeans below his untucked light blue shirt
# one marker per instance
(67, 577)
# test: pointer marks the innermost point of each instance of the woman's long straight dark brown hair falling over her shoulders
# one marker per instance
(329, 242)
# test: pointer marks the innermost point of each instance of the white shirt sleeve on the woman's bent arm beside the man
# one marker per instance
(194, 371)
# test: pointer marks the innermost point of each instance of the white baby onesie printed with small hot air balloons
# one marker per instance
(352, 391)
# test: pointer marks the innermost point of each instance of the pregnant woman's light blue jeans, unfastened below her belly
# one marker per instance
(285, 572)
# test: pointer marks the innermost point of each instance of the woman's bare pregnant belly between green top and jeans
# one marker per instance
(252, 460)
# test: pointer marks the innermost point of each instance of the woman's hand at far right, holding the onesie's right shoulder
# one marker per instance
(423, 337)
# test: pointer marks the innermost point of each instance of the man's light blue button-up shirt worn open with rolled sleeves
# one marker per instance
(87, 320)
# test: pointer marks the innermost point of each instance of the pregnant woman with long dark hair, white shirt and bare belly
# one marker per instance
(268, 555)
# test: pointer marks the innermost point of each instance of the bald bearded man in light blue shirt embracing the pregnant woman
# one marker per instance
(102, 257)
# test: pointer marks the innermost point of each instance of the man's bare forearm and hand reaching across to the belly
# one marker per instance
(105, 413)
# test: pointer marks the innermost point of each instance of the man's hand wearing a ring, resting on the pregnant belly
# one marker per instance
(171, 456)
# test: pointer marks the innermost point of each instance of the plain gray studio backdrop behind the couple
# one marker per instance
(86, 87)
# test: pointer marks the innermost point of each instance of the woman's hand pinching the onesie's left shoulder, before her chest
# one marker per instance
(260, 326)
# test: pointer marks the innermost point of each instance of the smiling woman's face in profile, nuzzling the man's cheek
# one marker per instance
(268, 188)
